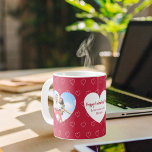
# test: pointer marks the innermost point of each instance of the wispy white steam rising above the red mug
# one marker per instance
(85, 49)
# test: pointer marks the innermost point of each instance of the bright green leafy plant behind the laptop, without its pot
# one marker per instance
(108, 17)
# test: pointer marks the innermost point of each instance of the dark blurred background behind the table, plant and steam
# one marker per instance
(33, 35)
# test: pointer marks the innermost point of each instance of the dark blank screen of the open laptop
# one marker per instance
(133, 72)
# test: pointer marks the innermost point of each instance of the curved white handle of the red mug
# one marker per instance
(44, 101)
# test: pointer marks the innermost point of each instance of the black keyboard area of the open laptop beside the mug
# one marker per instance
(124, 101)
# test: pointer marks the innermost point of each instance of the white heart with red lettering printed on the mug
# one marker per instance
(95, 105)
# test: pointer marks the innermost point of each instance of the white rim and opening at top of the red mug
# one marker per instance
(79, 74)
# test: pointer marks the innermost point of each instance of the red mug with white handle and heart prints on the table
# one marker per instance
(79, 102)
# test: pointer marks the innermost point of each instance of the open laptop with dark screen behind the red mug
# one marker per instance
(131, 91)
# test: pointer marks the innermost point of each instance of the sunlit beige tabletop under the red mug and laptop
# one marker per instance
(23, 129)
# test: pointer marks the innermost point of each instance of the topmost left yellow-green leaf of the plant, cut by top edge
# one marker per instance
(81, 5)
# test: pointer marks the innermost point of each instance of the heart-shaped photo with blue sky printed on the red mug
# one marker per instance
(64, 105)
